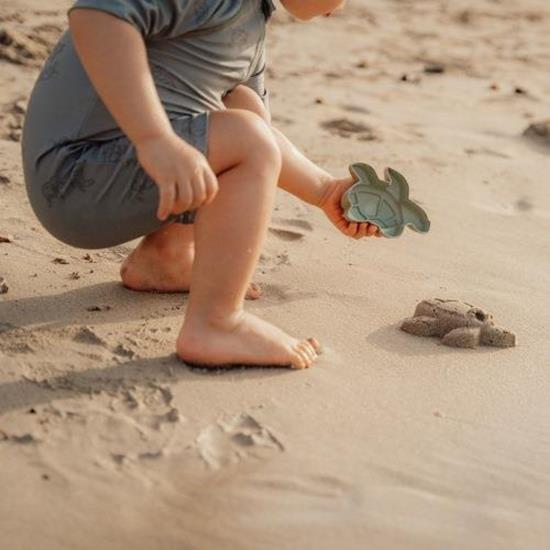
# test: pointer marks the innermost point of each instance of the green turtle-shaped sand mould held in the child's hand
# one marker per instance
(384, 203)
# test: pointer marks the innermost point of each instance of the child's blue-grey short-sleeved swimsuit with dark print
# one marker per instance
(82, 175)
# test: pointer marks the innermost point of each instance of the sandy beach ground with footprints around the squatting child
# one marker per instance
(108, 442)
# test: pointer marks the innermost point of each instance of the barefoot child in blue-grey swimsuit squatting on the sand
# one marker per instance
(150, 119)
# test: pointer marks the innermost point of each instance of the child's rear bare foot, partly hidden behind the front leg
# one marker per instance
(163, 261)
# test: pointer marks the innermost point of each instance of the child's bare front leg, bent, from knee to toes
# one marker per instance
(228, 236)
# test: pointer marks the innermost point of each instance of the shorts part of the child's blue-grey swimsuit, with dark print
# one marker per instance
(98, 195)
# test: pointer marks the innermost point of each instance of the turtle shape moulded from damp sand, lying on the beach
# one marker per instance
(459, 325)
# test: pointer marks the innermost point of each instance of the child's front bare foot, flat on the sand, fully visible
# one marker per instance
(243, 340)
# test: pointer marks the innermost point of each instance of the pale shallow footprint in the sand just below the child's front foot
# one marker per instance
(234, 439)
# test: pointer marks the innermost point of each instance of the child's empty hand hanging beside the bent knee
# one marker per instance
(182, 173)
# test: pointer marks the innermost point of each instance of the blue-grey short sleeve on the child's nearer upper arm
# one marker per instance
(151, 17)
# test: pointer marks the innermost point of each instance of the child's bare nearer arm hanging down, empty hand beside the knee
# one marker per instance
(114, 56)
